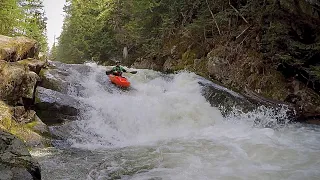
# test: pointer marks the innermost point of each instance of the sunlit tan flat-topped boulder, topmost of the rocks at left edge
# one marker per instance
(17, 48)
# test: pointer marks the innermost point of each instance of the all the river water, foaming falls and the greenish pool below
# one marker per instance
(163, 128)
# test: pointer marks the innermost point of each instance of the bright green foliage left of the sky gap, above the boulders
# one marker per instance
(23, 17)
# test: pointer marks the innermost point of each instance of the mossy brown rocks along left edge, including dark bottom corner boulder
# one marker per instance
(20, 127)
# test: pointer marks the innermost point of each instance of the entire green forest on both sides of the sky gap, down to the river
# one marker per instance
(271, 47)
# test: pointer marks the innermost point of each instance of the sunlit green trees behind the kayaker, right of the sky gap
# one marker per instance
(100, 29)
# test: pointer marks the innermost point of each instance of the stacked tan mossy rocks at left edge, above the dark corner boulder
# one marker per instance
(19, 69)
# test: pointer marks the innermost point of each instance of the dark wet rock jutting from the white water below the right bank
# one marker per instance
(228, 101)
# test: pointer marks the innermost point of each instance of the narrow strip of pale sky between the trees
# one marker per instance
(54, 13)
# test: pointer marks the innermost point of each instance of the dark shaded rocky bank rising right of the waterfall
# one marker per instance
(271, 48)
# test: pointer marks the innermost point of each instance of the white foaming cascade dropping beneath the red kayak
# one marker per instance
(156, 109)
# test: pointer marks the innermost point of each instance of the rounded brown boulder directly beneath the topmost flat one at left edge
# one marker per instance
(17, 83)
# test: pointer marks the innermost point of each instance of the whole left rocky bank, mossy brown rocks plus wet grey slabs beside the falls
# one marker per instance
(34, 94)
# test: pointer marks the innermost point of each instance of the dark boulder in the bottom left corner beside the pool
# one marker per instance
(15, 160)
